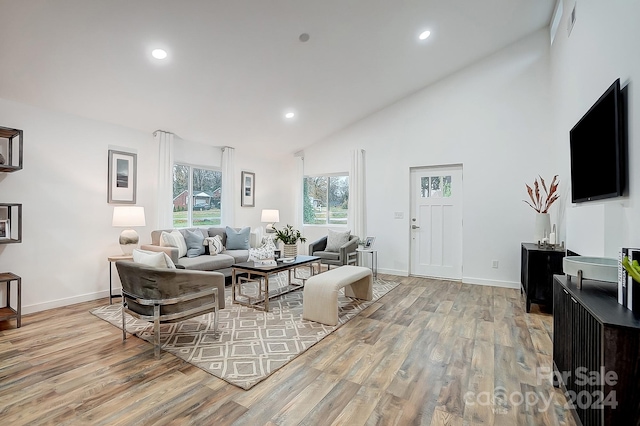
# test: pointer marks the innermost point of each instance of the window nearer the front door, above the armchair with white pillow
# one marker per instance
(326, 199)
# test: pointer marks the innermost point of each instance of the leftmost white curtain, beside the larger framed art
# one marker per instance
(165, 179)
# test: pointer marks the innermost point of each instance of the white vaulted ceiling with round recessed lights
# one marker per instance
(234, 67)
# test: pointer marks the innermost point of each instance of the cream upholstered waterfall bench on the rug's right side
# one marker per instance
(320, 294)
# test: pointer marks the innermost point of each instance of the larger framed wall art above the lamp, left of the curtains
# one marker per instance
(121, 187)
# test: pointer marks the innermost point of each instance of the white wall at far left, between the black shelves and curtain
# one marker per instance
(67, 232)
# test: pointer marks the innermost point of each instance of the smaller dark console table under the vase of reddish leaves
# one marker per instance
(538, 264)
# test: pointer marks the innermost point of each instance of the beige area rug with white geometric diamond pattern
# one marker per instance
(251, 344)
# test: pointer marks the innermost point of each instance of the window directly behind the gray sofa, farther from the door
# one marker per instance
(196, 196)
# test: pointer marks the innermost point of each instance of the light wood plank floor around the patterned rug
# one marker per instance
(430, 352)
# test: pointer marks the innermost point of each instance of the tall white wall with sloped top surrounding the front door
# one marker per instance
(494, 118)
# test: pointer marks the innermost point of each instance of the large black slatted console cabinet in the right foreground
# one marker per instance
(596, 352)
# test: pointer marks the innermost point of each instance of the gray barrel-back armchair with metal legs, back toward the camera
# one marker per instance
(168, 295)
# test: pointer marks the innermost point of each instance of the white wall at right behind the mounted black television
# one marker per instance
(602, 47)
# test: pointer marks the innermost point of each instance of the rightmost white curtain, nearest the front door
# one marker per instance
(357, 211)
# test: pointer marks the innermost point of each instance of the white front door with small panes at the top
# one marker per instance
(436, 222)
